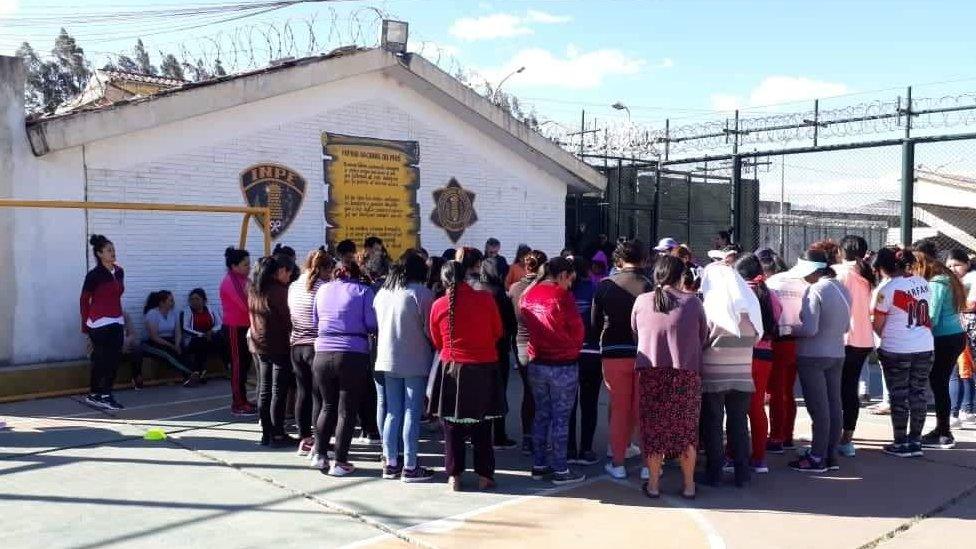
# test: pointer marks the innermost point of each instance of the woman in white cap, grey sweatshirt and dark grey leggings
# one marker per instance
(825, 318)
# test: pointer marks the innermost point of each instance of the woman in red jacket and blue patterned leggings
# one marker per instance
(556, 335)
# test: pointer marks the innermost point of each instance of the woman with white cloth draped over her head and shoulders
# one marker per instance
(735, 324)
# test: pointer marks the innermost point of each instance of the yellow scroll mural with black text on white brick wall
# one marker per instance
(372, 190)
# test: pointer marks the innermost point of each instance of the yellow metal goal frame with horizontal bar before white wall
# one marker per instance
(264, 214)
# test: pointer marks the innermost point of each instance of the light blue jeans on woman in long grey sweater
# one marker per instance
(404, 398)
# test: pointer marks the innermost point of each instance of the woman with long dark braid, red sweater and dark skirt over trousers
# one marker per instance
(465, 394)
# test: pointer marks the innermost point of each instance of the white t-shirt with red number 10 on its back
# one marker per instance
(908, 327)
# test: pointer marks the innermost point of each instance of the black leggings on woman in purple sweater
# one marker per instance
(340, 379)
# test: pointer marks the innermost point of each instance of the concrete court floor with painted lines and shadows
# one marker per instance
(75, 477)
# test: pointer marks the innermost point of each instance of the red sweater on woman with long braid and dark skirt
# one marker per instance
(477, 327)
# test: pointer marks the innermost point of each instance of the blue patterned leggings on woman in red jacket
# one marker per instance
(554, 391)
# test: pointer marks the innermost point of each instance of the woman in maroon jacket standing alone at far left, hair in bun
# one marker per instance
(102, 320)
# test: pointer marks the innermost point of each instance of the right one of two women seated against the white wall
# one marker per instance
(200, 325)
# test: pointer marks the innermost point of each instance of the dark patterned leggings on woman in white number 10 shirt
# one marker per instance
(907, 378)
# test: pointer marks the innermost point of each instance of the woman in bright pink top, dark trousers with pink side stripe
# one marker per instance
(233, 300)
